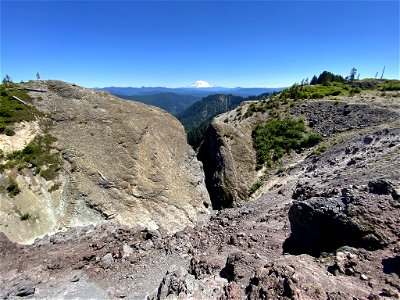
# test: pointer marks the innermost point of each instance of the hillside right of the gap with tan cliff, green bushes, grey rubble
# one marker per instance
(234, 167)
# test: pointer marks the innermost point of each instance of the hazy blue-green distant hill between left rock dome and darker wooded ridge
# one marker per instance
(171, 102)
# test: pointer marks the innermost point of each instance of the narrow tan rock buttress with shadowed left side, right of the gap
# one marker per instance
(229, 161)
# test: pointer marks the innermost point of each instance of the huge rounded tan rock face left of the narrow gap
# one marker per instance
(121, 161)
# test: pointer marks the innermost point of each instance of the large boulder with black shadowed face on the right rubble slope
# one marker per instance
(322, 225)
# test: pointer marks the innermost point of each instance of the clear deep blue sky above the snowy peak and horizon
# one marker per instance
(174, 43)
